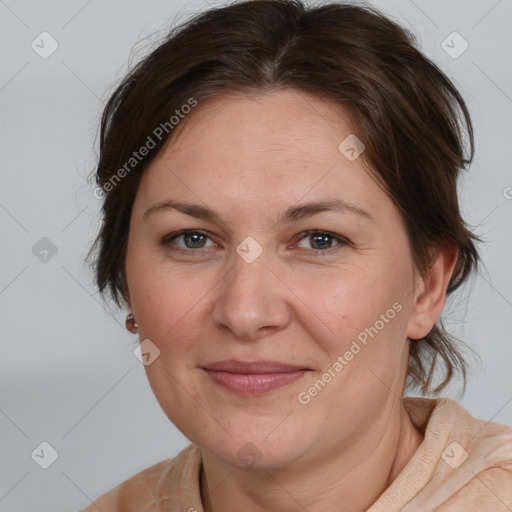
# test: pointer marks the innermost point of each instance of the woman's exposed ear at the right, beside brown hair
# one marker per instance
(430, 292)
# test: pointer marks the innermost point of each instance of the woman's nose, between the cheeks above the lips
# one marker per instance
(252, 300)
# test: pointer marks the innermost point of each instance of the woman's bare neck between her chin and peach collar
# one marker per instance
(349, 479)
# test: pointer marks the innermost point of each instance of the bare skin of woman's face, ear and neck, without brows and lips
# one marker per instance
(300, 301)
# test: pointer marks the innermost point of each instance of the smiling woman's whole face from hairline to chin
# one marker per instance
(251, 284)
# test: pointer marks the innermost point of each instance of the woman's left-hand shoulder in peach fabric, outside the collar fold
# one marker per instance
(141, 492)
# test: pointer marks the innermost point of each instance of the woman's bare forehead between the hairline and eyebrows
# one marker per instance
(264, 150)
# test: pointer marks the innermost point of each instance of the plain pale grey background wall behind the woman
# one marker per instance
(67, 372)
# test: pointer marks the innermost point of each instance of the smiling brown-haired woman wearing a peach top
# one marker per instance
(281, 222)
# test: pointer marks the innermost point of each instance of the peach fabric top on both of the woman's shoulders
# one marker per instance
(463, 464)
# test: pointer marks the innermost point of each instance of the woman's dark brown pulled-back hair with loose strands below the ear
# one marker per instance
(408, 113)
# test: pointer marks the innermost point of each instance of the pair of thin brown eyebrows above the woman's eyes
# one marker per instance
(291, 214)
